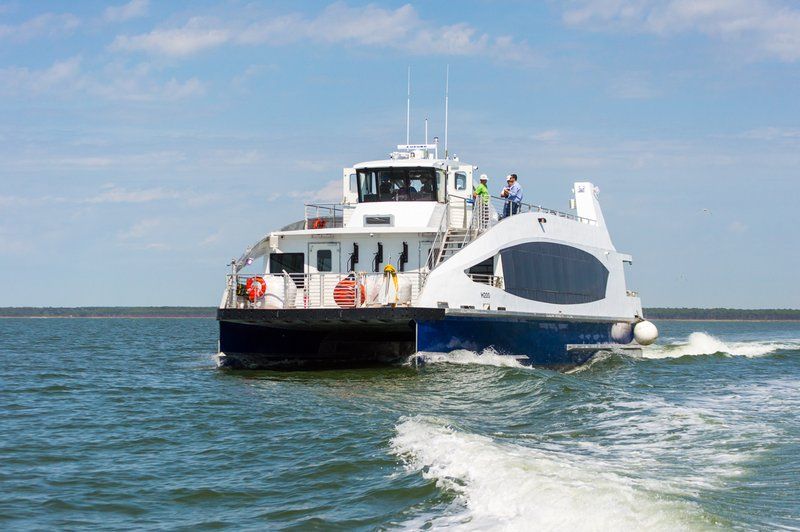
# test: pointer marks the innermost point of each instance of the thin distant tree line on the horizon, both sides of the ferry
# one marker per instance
(210, 312)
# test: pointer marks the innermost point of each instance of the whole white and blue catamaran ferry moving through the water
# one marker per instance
(409, 263)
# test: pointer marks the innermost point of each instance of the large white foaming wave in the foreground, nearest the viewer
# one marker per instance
(513, 487)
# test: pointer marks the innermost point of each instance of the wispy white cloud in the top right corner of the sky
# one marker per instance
(770, 27)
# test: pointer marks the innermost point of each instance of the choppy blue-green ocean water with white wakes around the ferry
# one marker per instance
(127, 423)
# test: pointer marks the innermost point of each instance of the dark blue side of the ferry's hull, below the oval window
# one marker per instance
(543, 342)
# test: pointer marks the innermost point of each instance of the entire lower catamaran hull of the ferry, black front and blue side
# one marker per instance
(347, 338)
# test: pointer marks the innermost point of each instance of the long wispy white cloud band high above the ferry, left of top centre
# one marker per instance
(371, 26)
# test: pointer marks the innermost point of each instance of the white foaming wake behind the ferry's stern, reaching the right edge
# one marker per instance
(700, 343)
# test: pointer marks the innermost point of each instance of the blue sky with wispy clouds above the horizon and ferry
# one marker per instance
(143, 145)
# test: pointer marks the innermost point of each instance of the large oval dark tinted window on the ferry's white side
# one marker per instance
(553, 273)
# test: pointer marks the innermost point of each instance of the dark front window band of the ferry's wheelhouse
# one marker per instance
(396, 184)
